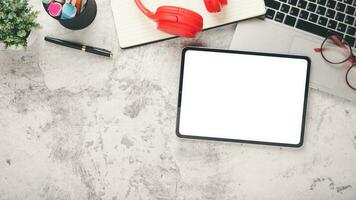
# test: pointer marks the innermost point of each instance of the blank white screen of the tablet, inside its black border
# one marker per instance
(243, 97)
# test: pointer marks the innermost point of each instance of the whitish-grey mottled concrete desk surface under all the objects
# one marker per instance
(77, 126)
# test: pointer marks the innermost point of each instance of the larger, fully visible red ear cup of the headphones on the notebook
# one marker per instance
(178, 21)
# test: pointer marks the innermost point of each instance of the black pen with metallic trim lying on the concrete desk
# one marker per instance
(74, 45)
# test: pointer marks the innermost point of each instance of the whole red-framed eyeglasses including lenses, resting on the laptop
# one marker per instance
(336, 50)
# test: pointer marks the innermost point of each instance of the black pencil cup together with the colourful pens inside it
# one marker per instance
(71, 15)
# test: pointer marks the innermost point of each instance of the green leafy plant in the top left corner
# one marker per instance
(17, 20)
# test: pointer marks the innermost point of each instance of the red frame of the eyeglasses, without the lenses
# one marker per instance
(352, 58)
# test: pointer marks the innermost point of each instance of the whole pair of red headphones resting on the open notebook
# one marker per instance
(180, 21)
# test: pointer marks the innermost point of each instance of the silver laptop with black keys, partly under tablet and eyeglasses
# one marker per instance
(299, 26)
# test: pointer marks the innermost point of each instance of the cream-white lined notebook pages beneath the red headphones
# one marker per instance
(134, 28)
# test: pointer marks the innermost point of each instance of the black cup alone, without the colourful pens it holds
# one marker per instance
(83, 19)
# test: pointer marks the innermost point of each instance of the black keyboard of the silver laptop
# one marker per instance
(316, 16)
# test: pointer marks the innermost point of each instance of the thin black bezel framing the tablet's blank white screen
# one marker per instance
(246, 53)
